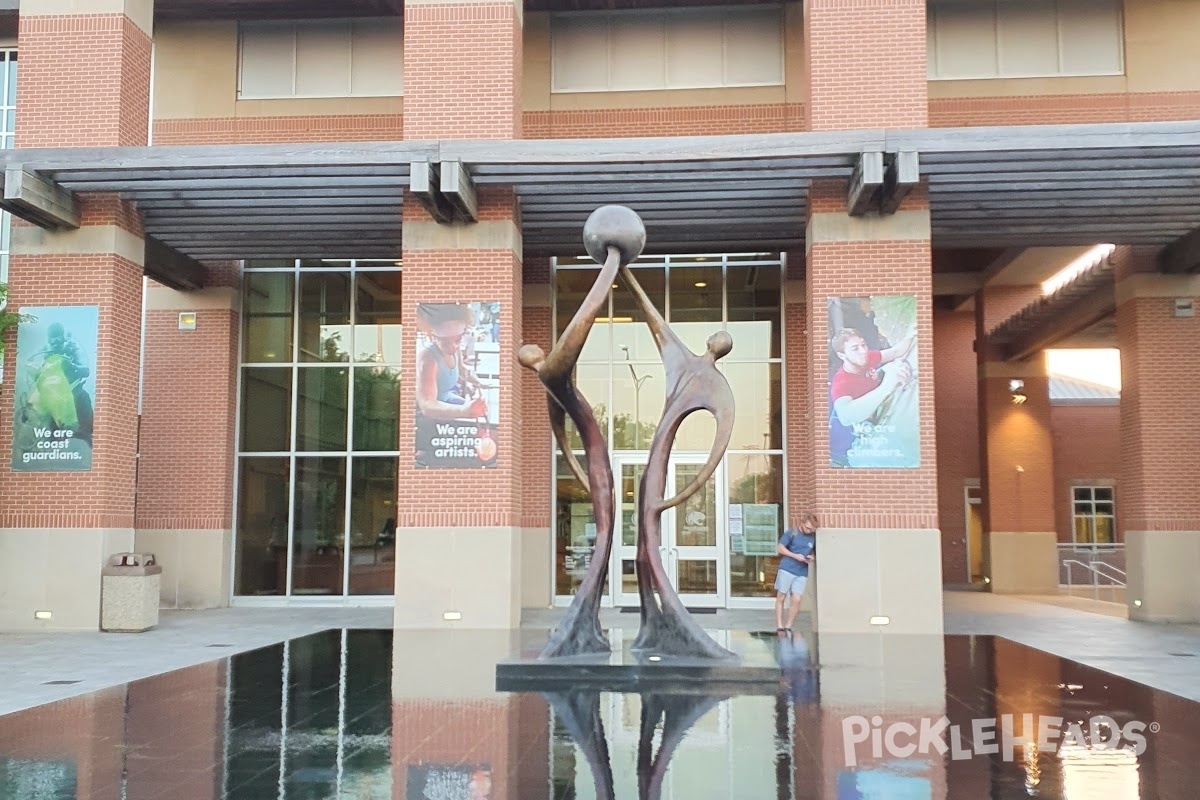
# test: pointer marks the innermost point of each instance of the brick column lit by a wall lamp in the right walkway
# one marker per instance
(1016, 456)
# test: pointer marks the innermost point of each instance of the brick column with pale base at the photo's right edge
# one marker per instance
(1160, 508)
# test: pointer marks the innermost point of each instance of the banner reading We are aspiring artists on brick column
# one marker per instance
(458, 384)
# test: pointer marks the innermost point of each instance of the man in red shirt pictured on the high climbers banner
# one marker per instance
(866, 380)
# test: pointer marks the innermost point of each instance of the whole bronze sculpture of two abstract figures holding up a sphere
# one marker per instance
(615, 238)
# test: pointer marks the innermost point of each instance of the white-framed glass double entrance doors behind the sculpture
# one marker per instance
(693, 548)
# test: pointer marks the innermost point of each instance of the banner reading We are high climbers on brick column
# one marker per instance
(874, 404)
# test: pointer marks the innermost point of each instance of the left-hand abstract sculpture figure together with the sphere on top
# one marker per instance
(623, 238)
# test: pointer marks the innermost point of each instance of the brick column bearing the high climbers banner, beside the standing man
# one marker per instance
(880, 549)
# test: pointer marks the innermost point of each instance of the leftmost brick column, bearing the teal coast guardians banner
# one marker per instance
(85, 82)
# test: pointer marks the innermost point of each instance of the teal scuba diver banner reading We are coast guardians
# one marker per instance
(55, 389)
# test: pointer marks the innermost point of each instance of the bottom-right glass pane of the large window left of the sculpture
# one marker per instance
(374, 526)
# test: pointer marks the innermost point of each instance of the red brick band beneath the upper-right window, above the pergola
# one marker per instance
(1065, 110)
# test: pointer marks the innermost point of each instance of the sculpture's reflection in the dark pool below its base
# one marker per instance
(675, 714)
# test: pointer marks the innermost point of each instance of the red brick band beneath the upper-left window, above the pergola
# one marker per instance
(268, 130)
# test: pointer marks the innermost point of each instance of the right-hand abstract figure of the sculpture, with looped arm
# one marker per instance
(694, 384)
